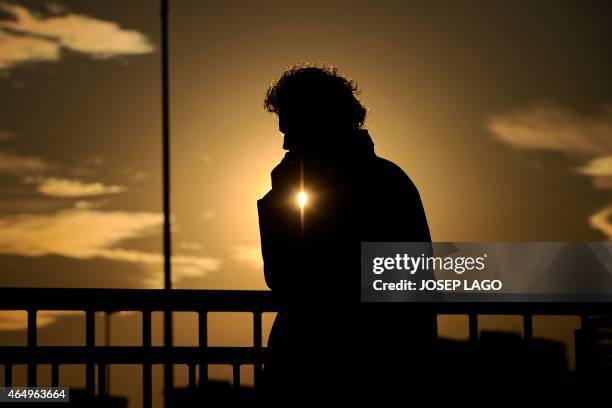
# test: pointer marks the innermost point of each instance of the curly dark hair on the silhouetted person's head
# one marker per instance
(317, 88)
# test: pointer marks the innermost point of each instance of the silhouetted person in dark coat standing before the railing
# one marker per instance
(324, 342)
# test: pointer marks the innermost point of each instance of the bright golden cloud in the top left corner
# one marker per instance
(29, 37)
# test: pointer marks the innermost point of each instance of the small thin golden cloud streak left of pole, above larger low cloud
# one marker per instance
(59, 187)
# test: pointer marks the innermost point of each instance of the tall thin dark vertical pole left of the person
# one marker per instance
(168, 374)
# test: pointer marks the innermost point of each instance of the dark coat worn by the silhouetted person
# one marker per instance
(324, 338)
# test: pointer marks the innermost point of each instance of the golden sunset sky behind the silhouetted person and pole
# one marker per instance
(500, 112)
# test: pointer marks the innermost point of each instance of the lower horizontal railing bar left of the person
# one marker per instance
(129, 355)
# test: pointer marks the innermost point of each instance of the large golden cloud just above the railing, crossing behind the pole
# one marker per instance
(89, 234)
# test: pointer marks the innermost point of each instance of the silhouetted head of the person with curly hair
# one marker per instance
(315, 105)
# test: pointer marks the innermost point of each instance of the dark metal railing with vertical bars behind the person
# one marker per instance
(146, 301)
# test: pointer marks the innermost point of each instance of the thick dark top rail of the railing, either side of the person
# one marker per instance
(245, 301)
